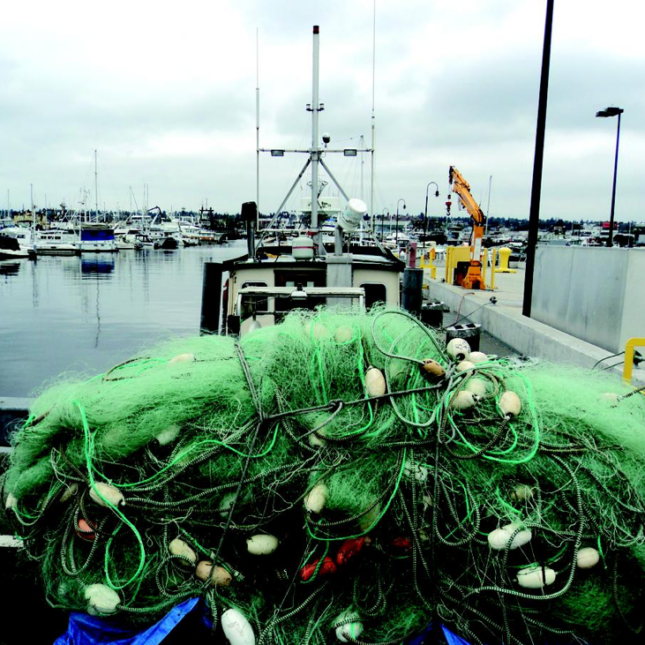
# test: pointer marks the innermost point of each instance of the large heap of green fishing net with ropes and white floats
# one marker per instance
(340, 476)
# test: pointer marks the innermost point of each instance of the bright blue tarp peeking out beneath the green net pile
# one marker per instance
(84, 629)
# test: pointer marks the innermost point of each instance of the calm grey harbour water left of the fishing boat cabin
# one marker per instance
(88, 313)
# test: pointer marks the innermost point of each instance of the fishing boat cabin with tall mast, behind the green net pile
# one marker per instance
(306, 266)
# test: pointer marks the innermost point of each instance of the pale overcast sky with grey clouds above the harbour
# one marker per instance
(165, 91)
